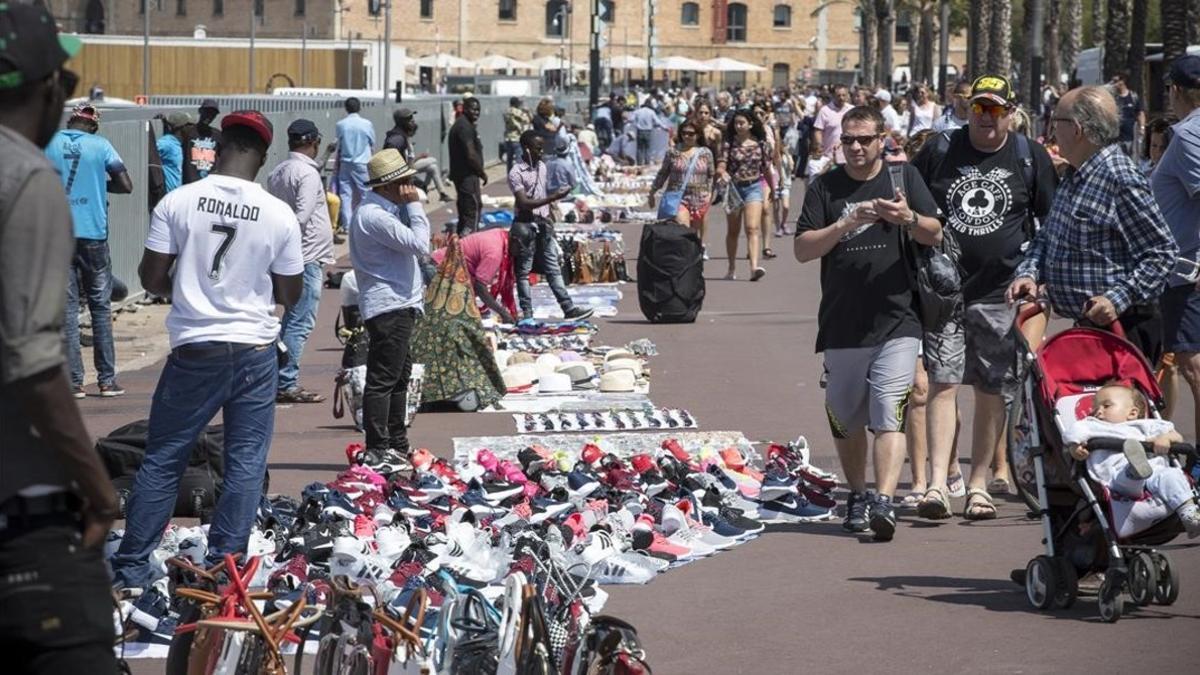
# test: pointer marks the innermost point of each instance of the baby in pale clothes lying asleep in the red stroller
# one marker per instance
(1119, 413)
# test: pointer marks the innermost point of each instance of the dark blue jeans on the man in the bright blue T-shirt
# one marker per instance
(92, 270)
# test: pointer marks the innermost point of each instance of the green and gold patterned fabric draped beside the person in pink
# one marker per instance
(451, 339)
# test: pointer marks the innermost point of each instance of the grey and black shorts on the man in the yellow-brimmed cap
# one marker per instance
(976, 348)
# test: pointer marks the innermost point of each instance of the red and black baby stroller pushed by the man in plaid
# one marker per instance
(1087, 529)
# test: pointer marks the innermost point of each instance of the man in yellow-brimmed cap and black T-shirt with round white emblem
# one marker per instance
(991, 183)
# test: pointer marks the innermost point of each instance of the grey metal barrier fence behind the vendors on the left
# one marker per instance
(130, 217)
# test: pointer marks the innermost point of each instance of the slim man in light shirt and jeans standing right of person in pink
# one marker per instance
(532, 237)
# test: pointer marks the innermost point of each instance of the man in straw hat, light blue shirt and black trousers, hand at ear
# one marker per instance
(389, 236)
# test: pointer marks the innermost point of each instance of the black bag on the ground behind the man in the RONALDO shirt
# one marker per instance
(124, 450)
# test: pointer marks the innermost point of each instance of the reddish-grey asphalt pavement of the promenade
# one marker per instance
(799, 599)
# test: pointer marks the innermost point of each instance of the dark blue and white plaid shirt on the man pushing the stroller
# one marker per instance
(1105, 237)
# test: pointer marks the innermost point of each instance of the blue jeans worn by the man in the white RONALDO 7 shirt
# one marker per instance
(199, 381)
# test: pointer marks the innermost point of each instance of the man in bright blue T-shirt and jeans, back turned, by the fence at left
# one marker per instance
(91, 169)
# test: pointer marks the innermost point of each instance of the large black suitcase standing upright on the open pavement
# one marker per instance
(670, 273)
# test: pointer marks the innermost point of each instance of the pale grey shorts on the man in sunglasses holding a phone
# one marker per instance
(871, 386)
